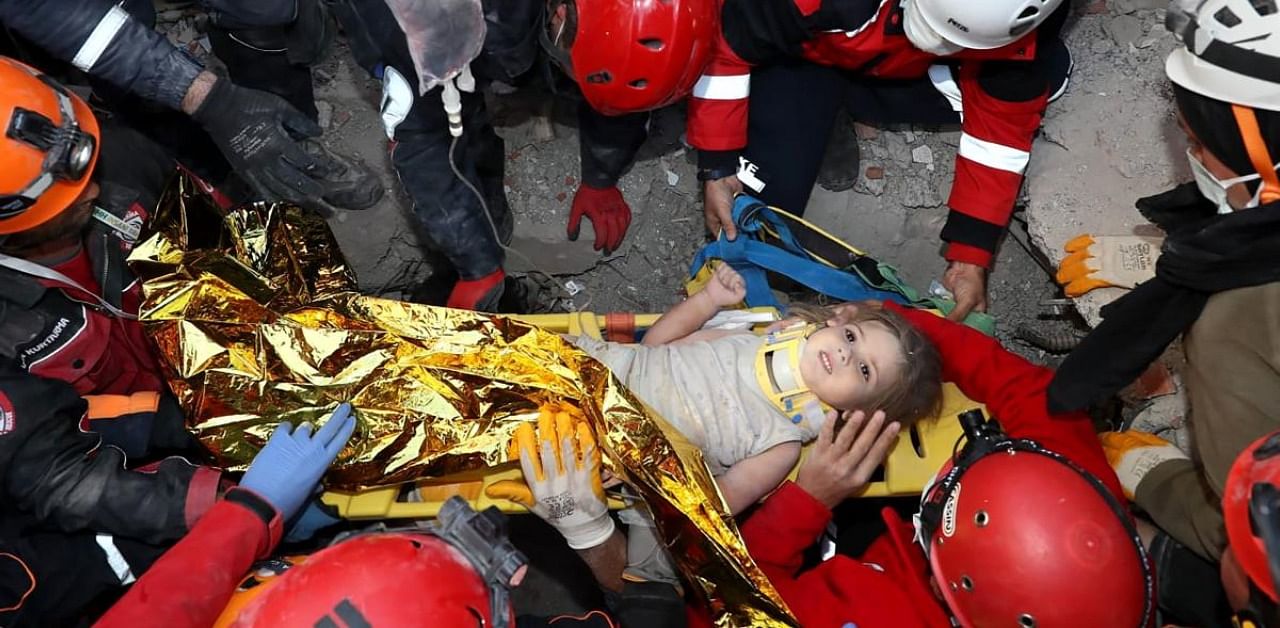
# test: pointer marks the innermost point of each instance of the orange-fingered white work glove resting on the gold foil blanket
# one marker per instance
(563, 479)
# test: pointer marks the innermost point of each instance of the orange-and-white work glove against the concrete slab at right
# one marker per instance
(1108, 262)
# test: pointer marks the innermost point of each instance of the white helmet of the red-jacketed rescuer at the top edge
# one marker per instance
(985, 25)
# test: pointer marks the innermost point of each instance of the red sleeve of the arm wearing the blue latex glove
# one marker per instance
(193, 583)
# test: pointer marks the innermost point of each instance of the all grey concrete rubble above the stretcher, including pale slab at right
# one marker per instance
(1113, 129)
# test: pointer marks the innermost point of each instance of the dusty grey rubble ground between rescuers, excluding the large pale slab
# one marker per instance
(895, 210)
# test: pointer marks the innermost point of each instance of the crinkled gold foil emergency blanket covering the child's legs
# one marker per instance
(258, 320)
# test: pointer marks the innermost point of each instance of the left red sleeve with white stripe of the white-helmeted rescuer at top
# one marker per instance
(717, 107)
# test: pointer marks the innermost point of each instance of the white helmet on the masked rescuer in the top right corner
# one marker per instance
(1232, 51)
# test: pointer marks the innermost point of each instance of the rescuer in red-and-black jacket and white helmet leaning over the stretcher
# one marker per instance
(993, 66)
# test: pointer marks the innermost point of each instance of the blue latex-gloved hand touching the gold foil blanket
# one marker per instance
(289, 469)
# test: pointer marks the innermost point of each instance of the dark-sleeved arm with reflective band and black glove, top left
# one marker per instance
(260, 135)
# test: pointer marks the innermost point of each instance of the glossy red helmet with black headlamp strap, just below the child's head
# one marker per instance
(1022, 537)
